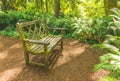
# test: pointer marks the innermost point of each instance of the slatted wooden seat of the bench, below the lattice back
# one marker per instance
(38, 48)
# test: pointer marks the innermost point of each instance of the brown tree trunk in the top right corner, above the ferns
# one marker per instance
(109, 4)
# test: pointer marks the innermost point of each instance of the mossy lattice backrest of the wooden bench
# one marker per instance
(36, 29)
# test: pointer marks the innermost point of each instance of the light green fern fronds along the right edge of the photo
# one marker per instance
(111, 60)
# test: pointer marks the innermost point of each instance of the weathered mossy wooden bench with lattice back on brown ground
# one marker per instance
(37, 40)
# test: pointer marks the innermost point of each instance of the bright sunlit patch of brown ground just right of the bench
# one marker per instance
(74, 52)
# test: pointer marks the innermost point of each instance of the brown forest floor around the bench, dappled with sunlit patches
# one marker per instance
(76, 63)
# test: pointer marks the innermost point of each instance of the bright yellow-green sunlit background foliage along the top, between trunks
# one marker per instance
(77, 8)
